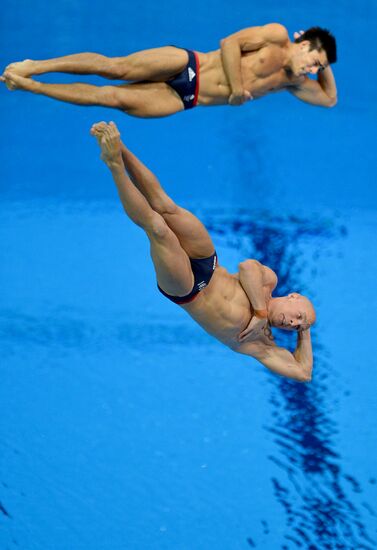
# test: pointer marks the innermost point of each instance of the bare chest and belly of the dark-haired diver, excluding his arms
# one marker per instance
(263, 71)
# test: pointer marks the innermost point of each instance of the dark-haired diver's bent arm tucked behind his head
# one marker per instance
(320, 92)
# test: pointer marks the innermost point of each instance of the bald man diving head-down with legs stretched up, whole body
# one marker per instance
(236, 309)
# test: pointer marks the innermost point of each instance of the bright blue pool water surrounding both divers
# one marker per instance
(123, 425)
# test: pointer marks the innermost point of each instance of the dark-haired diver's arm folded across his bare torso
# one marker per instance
(246, 40)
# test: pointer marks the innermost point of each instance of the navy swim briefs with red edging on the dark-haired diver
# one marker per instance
(186, 83)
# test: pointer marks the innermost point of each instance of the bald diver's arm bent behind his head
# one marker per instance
(297, 366)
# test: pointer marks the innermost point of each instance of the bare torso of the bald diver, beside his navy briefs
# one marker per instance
(223, 308)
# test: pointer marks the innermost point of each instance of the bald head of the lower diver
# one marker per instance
(290, 312)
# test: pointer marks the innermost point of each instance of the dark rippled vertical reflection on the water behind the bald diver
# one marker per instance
(314, 491)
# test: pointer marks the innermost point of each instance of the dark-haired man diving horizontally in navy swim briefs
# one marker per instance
(250, 64)
